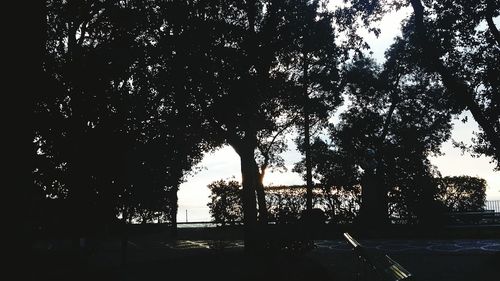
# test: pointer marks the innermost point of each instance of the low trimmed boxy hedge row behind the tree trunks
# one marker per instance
(341, 206)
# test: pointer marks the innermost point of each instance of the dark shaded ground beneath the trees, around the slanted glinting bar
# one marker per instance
(155, 256)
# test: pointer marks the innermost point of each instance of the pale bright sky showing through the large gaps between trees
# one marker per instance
(225, 163)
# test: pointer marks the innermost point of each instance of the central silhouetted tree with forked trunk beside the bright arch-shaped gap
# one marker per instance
(248, 85)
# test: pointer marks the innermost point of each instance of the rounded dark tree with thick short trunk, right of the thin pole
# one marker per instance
(397, 117)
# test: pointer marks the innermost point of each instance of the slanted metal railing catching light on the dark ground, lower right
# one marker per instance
(376, 265)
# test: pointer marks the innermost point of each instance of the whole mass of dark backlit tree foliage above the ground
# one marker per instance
(134, 92)
